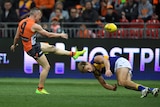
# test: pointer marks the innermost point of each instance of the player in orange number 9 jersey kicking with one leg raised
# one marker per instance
(27, 31)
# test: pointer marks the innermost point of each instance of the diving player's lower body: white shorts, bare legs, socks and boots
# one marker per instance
(123, 73)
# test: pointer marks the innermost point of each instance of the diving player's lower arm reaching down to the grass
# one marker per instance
(106, 85)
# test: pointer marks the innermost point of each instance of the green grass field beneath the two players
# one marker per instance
(20, 92)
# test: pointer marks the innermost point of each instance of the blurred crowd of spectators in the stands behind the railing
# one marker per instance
(77, 11)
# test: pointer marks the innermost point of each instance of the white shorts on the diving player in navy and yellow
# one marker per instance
(121, 63)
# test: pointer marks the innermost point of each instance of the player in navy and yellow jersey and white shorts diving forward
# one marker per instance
(114, 65)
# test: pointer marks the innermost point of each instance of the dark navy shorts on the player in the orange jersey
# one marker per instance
(36, 51)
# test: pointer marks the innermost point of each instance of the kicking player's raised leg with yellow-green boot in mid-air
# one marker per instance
(45, 47)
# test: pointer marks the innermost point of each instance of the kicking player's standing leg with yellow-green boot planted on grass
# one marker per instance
(43, 75)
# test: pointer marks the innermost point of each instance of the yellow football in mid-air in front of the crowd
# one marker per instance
(110, 27)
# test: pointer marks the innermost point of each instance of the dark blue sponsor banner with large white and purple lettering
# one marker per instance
(144, 56)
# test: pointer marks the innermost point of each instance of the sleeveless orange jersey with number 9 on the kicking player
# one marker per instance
(27, 35)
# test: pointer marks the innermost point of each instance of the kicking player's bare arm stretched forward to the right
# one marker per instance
(39, 29)
